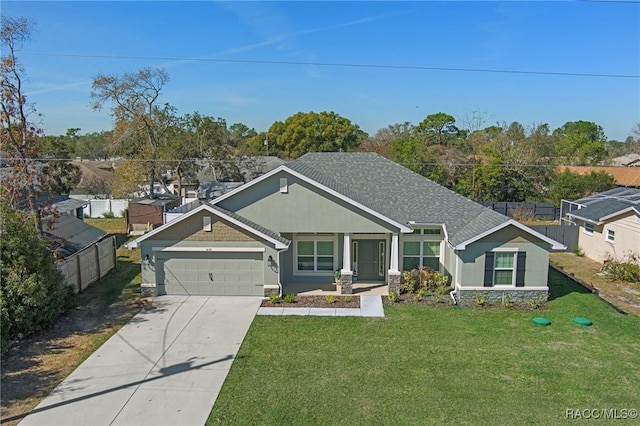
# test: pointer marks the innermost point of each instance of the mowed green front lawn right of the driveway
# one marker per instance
(422, 365)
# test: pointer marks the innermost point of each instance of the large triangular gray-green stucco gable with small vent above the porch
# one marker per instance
(303, 208)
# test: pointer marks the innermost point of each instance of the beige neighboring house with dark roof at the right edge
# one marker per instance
(609, 223)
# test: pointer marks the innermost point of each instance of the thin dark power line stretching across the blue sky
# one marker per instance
(336, 64)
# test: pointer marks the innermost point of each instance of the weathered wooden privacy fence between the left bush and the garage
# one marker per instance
(89, 265)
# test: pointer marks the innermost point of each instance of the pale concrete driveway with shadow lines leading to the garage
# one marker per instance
(165, 367)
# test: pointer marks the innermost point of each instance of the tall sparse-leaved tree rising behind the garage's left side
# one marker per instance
(136, 110)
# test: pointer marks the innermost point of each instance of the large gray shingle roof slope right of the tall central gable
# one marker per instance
(398, 193)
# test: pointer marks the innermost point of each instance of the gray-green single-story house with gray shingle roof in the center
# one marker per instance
(359, 213)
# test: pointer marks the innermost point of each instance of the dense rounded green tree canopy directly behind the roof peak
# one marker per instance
(313, 132)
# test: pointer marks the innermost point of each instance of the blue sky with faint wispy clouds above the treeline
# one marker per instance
(556, 37)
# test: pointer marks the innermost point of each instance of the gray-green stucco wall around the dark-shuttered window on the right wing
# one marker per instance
(472, 260)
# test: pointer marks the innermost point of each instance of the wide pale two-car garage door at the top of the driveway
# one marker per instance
(210, 273)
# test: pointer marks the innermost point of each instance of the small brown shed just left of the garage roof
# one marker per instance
(145, 214)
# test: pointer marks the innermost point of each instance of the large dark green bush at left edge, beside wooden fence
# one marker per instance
(32, 293)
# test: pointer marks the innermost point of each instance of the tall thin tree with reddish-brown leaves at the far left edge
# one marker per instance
(19, 138)
